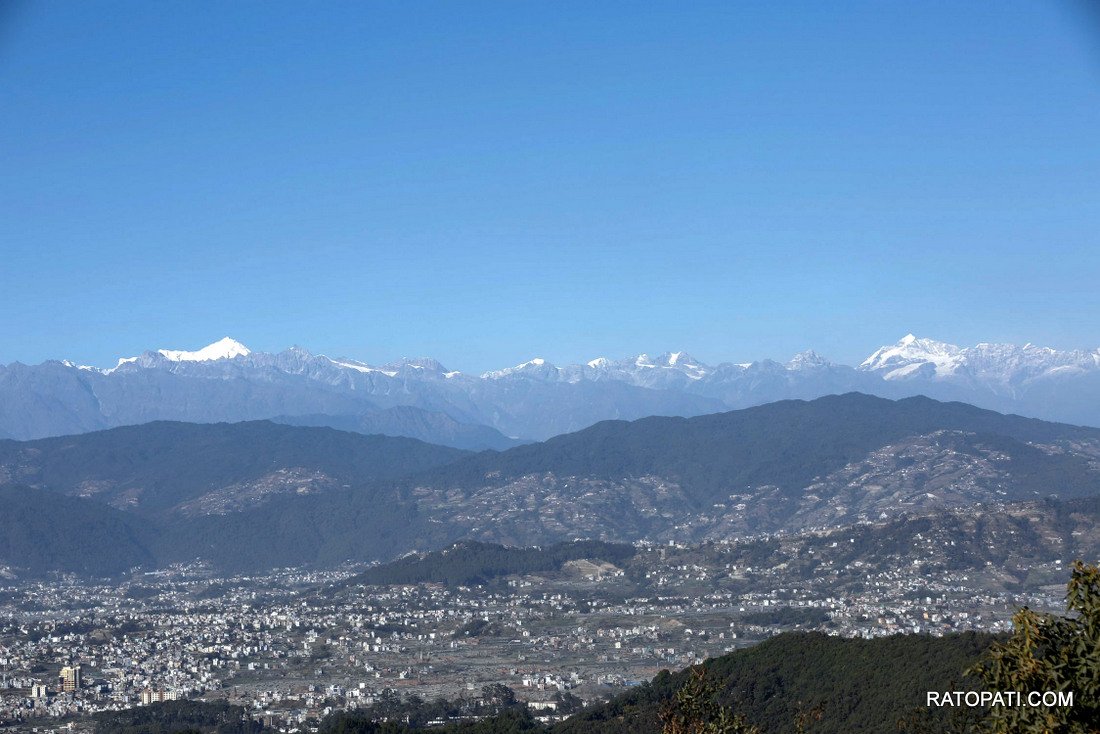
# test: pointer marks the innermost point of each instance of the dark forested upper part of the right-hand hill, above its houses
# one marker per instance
(786, 445)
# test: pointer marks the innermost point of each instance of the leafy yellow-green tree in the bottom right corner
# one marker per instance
(1050, 653)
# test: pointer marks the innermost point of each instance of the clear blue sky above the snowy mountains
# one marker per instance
(490, 182)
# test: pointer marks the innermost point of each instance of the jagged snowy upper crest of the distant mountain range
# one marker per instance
(993, 369)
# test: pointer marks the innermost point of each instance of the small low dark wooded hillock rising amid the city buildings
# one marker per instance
(472, 563)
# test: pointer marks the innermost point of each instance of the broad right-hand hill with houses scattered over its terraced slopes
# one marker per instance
(785, 466)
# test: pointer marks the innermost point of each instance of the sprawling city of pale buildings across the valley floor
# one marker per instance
(293, 647)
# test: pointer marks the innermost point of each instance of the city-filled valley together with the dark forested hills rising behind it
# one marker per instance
(304, 574)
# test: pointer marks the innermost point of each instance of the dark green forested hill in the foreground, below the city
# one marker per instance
(859, 686)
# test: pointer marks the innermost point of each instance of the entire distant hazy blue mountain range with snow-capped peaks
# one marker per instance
(227, 381)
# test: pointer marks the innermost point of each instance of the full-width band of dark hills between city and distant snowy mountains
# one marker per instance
(259, 495)
